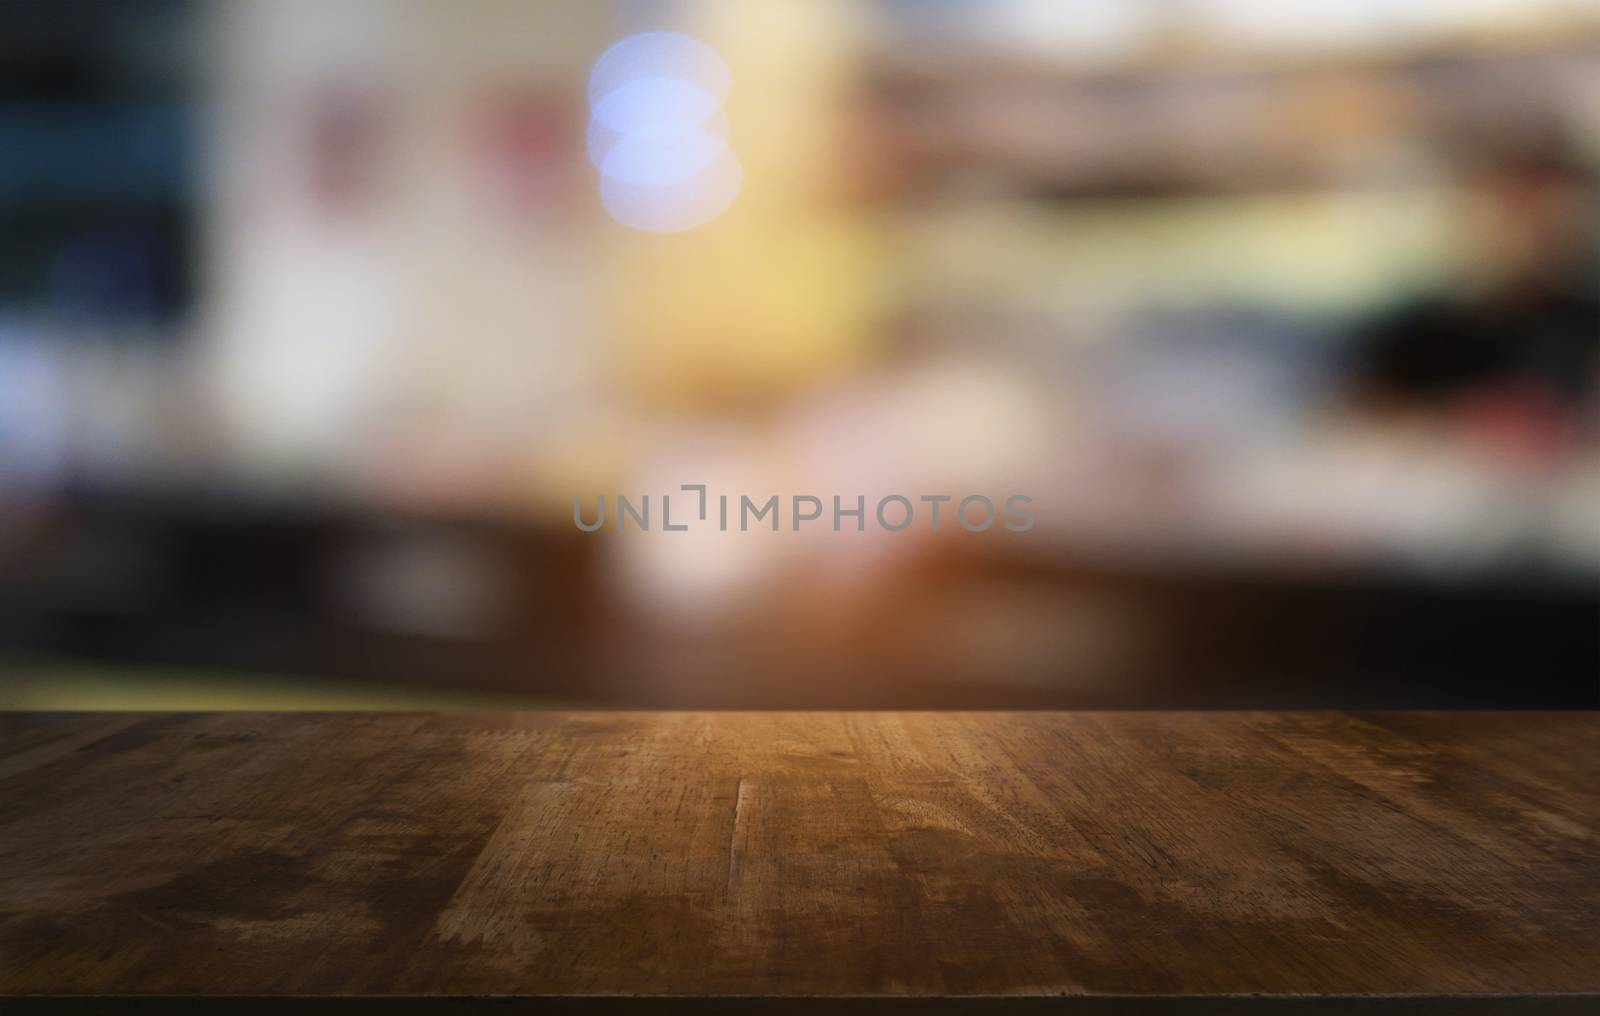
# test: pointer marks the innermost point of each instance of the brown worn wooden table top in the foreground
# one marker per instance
(802, 855)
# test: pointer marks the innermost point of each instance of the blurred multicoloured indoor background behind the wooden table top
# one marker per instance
(1287, 316)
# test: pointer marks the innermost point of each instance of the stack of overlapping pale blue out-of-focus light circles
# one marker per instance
(658, 135)
